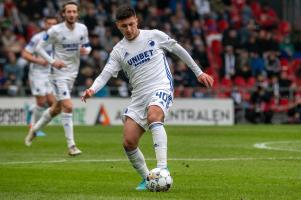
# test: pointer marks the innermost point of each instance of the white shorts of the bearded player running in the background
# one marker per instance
(62, 88)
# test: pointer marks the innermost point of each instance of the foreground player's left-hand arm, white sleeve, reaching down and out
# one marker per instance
(111, 68)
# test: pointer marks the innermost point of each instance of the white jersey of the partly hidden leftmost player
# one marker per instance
(37, 70)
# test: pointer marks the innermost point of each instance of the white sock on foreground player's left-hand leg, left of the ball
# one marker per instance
(138, 162)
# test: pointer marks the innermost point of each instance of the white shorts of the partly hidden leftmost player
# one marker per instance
(40, 86)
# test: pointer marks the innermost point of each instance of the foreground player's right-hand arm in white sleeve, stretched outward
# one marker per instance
(172, 46)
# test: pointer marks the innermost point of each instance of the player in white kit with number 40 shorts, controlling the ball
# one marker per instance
(140, 55)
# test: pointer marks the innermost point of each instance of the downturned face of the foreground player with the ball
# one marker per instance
(128, 27)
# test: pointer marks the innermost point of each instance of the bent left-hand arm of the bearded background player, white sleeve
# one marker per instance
(42, 44)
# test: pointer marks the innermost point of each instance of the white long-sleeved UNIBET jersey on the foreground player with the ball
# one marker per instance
(144, 62)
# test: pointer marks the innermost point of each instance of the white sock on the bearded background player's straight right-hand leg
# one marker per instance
(67, 122)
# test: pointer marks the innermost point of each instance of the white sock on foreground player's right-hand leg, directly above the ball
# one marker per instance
(160, 143)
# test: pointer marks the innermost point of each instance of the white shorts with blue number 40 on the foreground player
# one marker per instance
(137, 110)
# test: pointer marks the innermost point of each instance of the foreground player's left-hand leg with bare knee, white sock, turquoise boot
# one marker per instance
(131, 136)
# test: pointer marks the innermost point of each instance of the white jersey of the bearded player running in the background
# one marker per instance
(66, 44)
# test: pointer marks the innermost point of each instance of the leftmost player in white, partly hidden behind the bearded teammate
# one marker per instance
(39, 71)
